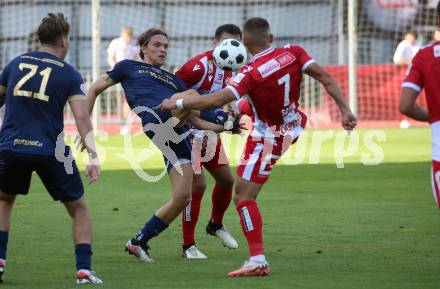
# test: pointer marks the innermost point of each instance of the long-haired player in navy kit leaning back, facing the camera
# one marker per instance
(145, 85)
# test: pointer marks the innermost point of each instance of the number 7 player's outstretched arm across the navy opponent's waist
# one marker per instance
(191, 99)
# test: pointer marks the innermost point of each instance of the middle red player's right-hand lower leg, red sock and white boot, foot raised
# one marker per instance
(221, 198)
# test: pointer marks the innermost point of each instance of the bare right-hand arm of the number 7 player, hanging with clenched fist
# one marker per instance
(349, 121)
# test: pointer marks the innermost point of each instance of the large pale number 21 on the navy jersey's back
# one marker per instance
(45, 73)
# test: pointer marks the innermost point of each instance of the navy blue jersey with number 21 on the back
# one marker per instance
(37, 86)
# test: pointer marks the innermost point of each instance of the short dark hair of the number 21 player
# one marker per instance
(52, 27)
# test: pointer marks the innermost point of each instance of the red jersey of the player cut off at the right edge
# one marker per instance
(424, 72)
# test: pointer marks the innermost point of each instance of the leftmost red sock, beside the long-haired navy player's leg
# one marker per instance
(190, 215)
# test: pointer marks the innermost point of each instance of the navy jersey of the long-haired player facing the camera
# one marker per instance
(144, 84)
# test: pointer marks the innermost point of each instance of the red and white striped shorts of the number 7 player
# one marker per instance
(261, 154)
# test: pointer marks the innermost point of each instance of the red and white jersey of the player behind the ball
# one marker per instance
(201, 74)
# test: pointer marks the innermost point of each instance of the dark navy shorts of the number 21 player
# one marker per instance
(16, 172)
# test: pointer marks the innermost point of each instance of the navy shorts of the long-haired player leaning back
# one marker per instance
(174, 143)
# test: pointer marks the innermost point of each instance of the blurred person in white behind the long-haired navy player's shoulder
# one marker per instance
(123, 47)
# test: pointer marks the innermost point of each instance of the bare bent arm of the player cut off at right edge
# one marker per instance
(409, 107)
